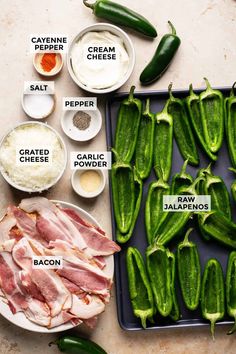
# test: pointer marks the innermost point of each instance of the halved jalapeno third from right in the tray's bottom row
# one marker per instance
(189, 271)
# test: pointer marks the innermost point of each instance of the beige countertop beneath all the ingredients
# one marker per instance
(207, 29)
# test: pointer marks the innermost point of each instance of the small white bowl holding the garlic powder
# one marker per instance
(75, 181)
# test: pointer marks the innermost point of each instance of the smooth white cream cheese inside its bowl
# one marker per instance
(99, 59)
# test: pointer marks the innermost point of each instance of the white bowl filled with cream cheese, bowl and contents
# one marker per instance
(101, 58)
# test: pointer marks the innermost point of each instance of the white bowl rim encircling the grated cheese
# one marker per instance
(46, 187)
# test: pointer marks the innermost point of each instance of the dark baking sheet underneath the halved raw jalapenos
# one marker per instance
(206, 249)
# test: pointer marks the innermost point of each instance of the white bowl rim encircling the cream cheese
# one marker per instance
(127, 43)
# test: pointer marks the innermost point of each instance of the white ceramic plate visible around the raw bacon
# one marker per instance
(20, 320)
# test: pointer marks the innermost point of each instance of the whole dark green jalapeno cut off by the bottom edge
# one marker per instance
(75, 345)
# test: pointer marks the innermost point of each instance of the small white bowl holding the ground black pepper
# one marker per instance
(81, 135)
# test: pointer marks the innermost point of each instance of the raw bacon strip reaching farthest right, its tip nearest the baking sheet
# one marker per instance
(98, 244)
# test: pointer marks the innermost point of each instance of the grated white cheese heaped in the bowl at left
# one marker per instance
(34, 177)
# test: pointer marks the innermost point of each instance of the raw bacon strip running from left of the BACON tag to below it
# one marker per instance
(46, 280)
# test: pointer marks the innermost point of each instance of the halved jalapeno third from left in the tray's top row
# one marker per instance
(163, 144)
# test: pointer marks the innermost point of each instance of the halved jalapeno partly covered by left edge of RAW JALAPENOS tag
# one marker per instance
(154, 213)
